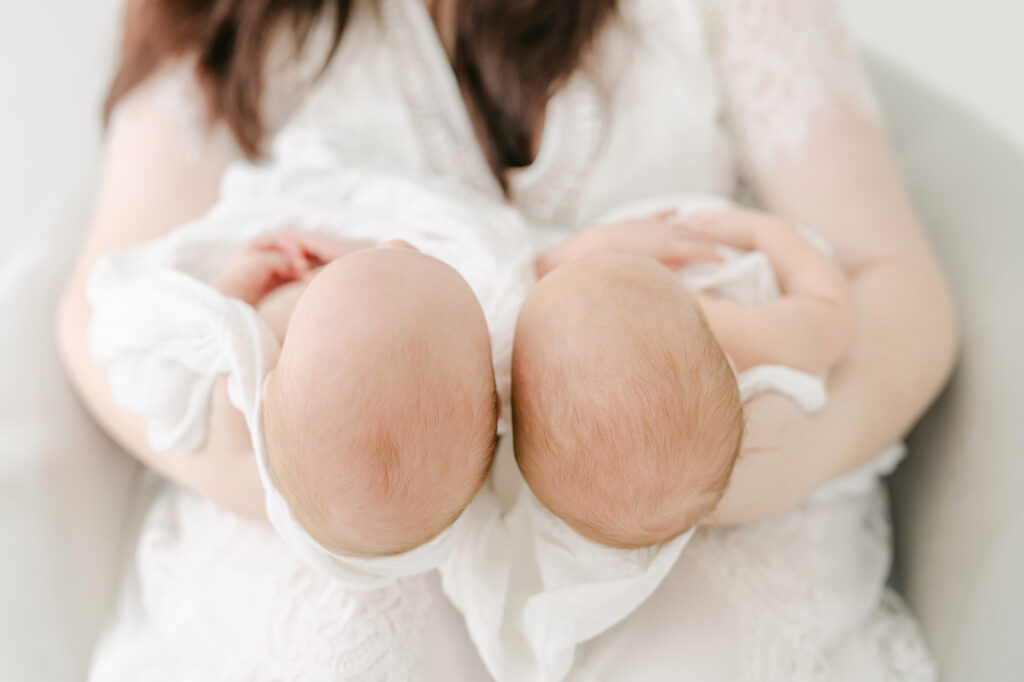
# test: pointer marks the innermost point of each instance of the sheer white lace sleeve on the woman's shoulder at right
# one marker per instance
(785, 67)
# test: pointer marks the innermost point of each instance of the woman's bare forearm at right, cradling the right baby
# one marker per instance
(902, 357)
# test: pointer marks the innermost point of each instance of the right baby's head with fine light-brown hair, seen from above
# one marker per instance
(626, 412)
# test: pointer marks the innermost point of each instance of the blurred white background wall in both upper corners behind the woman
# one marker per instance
(57, 58)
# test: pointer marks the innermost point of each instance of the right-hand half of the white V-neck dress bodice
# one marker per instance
(641, 120)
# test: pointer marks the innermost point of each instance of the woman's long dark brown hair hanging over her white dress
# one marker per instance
(510, 57)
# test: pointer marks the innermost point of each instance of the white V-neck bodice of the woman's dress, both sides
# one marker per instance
(639, 119)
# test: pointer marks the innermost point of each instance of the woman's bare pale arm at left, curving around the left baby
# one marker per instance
(162, 167)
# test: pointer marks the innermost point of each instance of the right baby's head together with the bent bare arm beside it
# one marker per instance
(626, 409)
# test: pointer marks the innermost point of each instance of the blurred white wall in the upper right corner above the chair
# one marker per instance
(972, 51)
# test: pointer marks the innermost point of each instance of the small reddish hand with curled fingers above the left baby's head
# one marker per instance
(271, 262)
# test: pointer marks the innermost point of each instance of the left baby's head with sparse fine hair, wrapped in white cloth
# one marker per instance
(380, 416)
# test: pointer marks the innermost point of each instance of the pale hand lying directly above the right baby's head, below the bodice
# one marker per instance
(661, 237)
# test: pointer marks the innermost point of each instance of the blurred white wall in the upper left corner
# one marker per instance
(56, 59)
